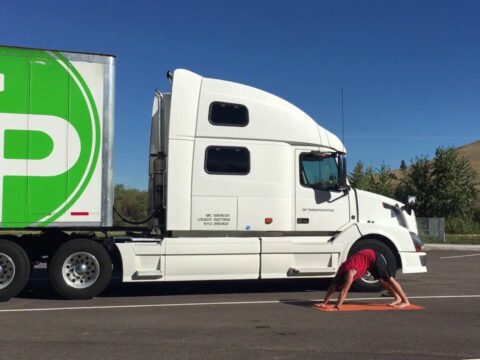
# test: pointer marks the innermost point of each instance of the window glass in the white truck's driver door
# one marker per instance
(318, 171)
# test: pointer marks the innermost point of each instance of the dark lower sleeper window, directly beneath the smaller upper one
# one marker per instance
(227, 160)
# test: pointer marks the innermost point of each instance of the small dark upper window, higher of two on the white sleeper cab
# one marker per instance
(226, 114)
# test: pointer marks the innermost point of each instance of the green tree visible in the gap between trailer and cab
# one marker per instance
(130, 203)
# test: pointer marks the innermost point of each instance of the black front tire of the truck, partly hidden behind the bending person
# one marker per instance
(367, 283)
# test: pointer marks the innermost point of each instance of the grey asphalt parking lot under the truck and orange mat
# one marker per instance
(249, 319)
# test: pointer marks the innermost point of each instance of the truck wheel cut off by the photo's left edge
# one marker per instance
(14, 269)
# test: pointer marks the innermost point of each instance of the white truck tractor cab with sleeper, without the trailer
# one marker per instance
(253, 188)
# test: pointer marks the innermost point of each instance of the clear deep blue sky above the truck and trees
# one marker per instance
(410, 70)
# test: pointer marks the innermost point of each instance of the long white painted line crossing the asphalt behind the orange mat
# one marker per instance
(260, 302)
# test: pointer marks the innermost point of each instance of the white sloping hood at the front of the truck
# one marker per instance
(378, 209)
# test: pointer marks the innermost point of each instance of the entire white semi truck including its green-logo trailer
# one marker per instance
(242, 184)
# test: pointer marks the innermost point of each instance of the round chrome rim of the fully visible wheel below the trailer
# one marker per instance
(80, 270)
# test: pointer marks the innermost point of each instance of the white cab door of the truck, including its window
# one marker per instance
(319, 206)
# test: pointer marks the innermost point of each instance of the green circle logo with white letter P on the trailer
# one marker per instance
(49, 136)
